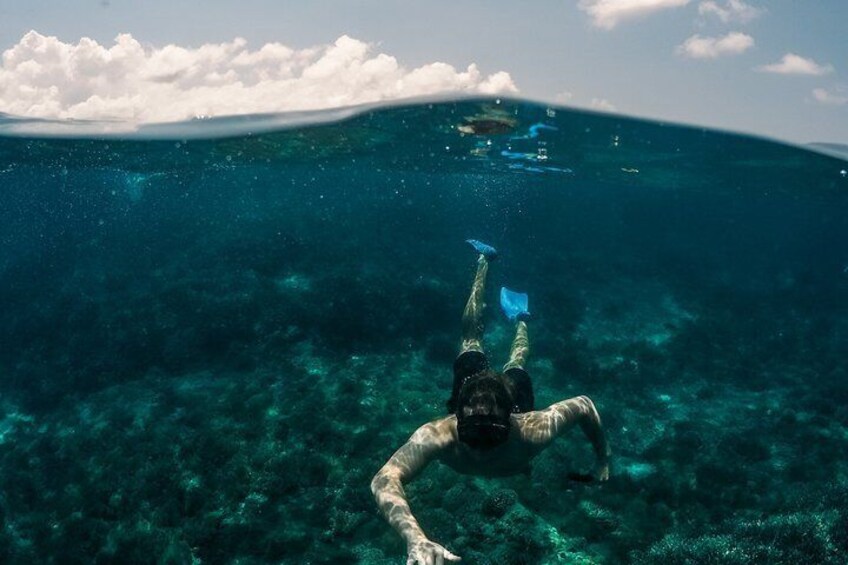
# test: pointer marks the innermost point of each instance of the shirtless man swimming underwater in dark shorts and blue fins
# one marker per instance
(492, 429)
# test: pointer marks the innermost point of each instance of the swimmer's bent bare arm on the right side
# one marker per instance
(543, 426)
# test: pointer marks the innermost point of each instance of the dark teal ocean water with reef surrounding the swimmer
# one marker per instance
(212, 336)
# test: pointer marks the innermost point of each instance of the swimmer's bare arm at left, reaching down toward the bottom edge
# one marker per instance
(387, 487)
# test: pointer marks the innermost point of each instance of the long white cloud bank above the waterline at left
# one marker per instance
(44, 77)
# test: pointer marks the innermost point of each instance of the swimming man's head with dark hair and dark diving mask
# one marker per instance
(483, 406)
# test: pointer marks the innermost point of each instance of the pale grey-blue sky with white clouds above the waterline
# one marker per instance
(776, 68)
